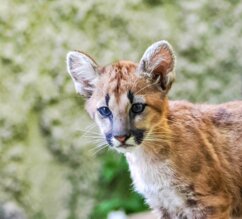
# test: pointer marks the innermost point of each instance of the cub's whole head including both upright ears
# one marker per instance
(126, 100)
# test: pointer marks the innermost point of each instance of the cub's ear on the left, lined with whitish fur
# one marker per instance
(83, 71)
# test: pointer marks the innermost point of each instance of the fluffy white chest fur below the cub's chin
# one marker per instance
(156, 181)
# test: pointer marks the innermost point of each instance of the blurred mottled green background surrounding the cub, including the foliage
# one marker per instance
(47, 168)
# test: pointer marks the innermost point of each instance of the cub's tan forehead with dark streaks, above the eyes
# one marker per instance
(116, 81)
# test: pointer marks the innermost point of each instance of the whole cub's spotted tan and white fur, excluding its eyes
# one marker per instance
(184, 158)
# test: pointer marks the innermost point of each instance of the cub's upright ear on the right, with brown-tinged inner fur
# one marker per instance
(158, 64)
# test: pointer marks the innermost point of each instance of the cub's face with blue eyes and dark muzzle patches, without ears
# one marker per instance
(124, 106)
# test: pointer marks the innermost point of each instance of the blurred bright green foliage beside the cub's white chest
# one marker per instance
(115, 185)
